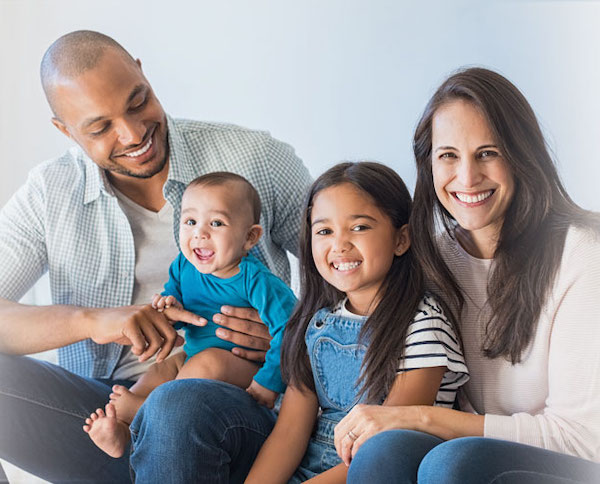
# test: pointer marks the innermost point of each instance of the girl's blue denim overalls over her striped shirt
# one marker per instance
(335, 358)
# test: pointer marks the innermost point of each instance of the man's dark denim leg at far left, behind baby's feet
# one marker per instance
(42, 410)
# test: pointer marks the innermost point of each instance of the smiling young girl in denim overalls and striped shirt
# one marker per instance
(364, 331)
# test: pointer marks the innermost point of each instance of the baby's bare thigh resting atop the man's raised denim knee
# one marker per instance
(218, 364)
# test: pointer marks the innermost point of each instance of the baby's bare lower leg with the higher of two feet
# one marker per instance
(127, 402)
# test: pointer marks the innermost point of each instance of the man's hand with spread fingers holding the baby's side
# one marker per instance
(245, 329)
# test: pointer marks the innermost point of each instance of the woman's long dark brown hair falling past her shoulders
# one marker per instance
(536, 222)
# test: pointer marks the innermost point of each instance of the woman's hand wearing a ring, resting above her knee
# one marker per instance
(365, 421)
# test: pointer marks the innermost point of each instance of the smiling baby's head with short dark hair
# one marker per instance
(220, 215)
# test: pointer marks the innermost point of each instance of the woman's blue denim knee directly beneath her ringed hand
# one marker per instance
(392, 456)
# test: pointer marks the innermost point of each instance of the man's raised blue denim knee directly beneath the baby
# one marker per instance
(197, 431)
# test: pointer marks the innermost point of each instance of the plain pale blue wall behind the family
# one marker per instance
(336, 79)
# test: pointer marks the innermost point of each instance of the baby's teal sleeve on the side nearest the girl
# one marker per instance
(275, 302)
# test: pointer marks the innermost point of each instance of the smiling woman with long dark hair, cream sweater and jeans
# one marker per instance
(519, 264)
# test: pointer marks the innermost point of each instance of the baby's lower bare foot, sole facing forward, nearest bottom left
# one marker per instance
(108, 433)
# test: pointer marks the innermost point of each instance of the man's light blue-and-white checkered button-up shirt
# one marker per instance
(67, 220)
